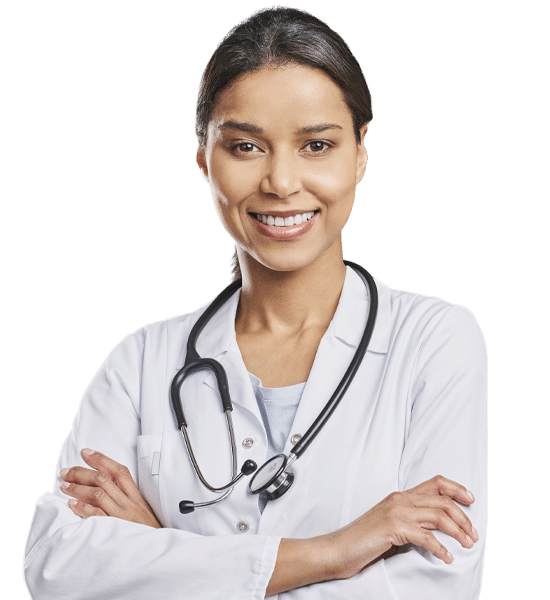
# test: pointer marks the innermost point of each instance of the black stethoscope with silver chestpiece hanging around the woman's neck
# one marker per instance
(272, 477)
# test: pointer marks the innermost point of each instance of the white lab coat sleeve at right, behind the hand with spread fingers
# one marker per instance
(447, 436)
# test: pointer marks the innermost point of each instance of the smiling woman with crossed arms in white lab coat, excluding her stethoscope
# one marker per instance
(282, 113)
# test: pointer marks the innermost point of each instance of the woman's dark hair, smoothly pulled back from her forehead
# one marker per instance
(275, 36)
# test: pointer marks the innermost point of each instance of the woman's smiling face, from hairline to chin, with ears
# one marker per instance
(282, 164)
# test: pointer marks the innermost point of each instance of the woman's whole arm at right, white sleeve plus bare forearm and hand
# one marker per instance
(447, 434)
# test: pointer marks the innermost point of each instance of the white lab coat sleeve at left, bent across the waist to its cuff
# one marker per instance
(67, 557)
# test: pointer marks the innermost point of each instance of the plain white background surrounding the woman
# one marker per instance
(107, 225)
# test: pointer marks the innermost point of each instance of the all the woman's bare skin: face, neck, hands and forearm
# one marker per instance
(290, 293)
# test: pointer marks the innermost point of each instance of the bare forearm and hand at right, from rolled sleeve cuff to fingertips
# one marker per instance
(400, 519)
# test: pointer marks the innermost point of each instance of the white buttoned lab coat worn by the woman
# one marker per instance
(416, 408)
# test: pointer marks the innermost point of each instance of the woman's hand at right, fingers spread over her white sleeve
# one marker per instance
(402, 518)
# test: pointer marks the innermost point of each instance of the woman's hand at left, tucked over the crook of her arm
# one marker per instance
(106, 490)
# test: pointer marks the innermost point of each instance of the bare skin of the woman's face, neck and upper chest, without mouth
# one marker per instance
(280, 169)
